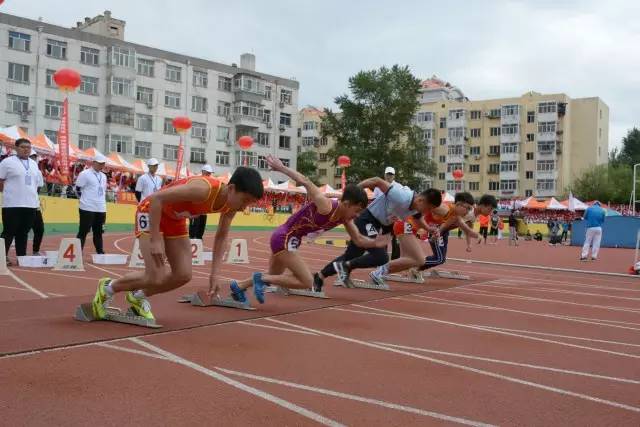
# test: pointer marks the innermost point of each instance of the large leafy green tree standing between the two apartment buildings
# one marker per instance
(375, 127)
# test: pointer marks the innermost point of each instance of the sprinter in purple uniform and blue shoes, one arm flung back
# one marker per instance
(318, 215)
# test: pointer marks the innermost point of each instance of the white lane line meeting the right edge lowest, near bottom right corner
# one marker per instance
(468, 368)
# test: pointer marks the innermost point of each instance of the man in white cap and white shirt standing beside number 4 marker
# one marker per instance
(92, 187)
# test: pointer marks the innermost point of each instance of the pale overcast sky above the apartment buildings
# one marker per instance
(487, 48)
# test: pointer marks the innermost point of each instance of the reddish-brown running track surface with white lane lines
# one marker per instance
(512, 346)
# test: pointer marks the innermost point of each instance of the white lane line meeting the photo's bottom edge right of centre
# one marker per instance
(355, 397)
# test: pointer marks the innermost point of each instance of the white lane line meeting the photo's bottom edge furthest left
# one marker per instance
(248, 389)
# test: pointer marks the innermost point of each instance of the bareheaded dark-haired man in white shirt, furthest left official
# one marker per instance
(19, 184)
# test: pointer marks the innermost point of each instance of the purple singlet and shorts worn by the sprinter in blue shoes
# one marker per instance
(307, 220)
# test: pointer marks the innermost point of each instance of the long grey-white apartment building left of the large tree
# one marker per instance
(130, 93)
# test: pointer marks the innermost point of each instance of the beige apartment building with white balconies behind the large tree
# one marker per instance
(531, 145)
